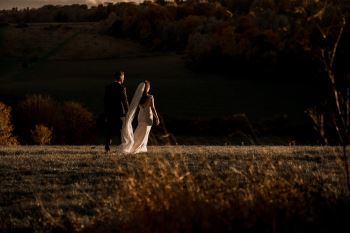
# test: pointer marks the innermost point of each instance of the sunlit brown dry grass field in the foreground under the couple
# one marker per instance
(172, 189)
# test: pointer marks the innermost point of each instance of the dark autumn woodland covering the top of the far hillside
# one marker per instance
(275, 38)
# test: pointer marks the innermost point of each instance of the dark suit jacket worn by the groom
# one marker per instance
(115, 100)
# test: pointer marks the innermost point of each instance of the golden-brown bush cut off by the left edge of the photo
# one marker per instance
(6, 127)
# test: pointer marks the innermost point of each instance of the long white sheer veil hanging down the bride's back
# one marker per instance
(127, 134)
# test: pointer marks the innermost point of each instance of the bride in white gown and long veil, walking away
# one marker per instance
(136, 142)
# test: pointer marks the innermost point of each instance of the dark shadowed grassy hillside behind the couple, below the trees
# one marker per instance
(76, 61)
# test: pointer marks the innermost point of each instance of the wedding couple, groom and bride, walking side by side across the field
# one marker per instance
(119, 115)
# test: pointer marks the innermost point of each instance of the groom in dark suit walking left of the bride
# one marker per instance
(115, 106)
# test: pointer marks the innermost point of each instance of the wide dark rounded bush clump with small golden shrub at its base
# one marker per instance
(37, 116)
